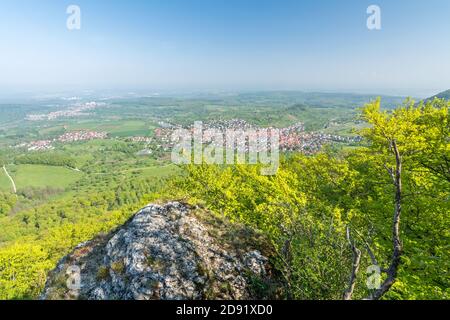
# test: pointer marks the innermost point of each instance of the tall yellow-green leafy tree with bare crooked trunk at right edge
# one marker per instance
(415, 135)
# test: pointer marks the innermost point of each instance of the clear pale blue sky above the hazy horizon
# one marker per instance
(207, 45)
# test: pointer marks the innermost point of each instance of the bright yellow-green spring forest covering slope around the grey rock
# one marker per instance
(334, 219)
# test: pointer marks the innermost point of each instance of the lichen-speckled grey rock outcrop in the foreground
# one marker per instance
(164, 252)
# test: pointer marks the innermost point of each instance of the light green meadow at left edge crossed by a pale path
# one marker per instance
(38, 176)
